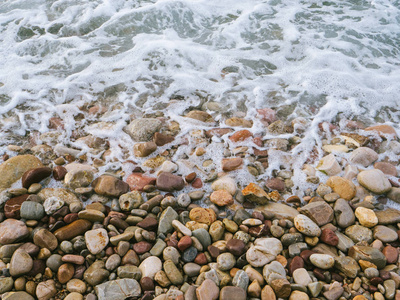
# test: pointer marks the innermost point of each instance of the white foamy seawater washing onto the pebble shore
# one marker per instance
(321, 60)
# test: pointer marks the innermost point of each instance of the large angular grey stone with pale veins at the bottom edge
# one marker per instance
(118, 289)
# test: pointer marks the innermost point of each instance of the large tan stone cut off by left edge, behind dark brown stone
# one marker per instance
(15, 167)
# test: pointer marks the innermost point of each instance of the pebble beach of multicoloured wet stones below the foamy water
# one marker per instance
(171, 223)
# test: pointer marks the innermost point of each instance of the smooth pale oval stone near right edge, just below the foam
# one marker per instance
(374, 180)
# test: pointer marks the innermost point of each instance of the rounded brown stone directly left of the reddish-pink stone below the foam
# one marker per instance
(108, 185)
